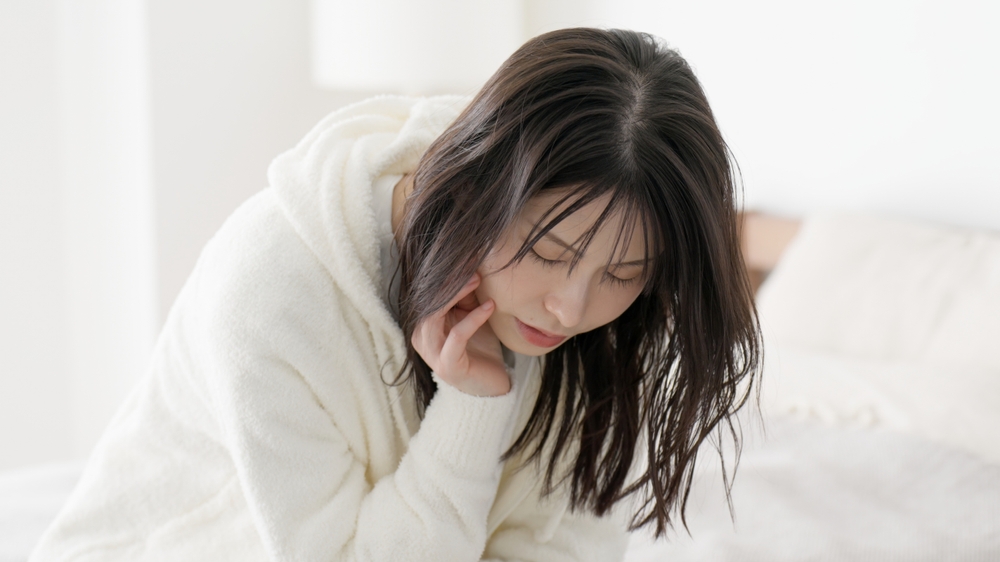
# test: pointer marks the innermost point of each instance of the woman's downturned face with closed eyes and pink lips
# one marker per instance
(539, 302)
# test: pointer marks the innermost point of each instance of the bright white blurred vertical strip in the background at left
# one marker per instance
(107, 207)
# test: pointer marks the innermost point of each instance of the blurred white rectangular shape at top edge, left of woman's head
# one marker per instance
(450, 46)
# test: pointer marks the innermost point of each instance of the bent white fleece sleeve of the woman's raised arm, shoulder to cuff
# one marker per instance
(265, 328)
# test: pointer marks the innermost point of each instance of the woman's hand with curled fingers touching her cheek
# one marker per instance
(461, 348)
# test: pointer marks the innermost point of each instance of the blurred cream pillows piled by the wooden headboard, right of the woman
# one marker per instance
(888, 323)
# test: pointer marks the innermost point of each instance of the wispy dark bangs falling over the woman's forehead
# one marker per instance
(629, 205)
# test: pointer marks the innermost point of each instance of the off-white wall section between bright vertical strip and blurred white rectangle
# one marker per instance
(231, 90)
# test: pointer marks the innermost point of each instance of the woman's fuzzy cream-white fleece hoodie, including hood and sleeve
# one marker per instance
(264, 430)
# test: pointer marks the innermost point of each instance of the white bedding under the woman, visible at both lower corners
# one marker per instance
(809, 492)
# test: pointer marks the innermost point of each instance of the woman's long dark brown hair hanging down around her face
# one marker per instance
(594, 112)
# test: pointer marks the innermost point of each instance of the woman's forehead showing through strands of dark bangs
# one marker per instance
(617, 229)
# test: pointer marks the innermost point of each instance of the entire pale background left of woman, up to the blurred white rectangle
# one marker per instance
(129, 131)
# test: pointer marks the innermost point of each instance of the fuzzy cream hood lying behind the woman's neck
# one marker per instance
(324, 185)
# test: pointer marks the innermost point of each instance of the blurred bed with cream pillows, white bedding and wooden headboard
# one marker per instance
(878, 431)
